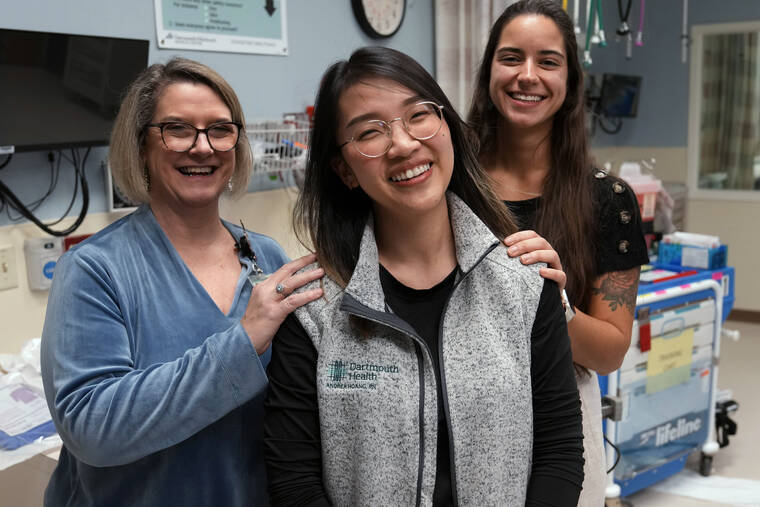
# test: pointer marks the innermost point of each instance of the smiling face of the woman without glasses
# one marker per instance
(529, 73)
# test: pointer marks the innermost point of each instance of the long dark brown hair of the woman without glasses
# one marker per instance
(565, 214)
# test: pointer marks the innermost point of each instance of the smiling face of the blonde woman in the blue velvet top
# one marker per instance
(196, 178)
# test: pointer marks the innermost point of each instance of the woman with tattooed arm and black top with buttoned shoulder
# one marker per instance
(529, 113)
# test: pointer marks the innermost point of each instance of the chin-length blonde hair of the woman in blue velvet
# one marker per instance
(136, 111)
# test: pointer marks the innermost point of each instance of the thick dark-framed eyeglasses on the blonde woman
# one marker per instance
(181, 137)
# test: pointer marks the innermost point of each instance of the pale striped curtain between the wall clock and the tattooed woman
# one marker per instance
(461, 33)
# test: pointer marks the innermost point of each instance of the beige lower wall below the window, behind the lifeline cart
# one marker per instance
(737, 223)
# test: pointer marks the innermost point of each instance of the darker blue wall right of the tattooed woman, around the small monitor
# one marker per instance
(663, 111)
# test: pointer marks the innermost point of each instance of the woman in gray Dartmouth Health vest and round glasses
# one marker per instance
(436, 370)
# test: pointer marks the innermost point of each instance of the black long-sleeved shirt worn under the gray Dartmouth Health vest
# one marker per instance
(291, 427)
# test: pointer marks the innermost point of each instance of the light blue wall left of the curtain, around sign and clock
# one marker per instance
(319, 32)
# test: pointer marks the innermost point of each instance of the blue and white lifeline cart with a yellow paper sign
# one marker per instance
(657, 431)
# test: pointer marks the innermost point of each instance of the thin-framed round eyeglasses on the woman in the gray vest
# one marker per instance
(373, 138)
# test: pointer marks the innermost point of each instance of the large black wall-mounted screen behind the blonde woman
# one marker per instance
(60, 90)
